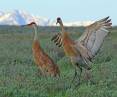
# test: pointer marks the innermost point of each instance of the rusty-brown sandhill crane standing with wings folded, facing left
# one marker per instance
(45, 63)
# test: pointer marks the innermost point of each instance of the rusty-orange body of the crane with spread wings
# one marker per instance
(71, 51)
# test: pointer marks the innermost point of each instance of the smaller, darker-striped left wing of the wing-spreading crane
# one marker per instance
(57, 39)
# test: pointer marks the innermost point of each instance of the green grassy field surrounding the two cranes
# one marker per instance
(19, 75)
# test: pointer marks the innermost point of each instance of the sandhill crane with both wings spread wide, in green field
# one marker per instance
(85, 48)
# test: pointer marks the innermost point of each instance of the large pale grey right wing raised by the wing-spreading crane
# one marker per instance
(94, 35)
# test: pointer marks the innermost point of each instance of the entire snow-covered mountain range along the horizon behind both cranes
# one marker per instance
(17, 17)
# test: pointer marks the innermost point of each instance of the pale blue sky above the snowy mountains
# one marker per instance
(69, 10)
